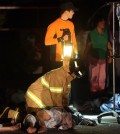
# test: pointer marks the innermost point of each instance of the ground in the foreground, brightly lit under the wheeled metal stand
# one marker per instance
(108, 125)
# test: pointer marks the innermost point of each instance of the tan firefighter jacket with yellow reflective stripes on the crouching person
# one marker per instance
(51, 89)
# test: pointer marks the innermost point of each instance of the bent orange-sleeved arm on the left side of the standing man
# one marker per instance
(50, 36)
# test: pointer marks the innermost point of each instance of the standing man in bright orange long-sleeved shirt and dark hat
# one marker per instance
(62, 31)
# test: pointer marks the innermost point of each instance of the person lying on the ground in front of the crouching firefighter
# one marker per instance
(44, 119)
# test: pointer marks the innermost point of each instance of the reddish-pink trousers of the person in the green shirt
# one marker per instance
(97, 74)
